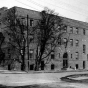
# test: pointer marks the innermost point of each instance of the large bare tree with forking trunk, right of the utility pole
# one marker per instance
(48, 32)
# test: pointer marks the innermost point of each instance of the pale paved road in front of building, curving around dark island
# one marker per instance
(15, 78)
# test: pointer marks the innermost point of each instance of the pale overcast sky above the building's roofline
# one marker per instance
(74, 9)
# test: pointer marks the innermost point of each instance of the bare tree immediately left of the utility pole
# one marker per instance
(17, 40)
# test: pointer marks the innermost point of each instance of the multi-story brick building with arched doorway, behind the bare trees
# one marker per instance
(74, 55)
